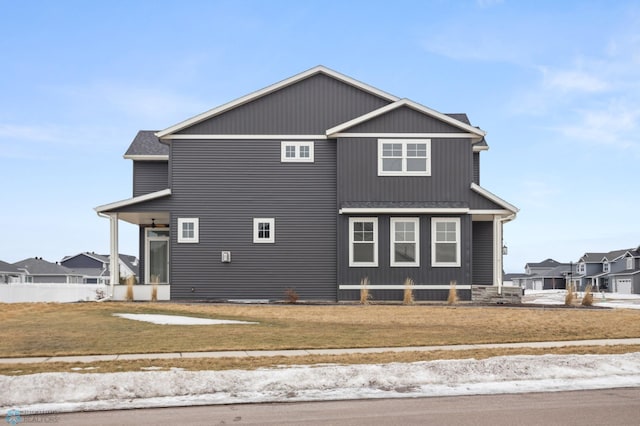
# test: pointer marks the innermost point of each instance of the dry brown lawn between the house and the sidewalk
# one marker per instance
(90, 328)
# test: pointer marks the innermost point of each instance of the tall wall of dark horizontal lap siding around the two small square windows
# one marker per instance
(228, 183)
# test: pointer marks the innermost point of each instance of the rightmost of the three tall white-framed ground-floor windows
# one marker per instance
(445, 238)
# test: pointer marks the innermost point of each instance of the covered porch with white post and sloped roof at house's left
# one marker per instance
(154, 244)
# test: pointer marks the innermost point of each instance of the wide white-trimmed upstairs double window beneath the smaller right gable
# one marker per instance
(404, 157)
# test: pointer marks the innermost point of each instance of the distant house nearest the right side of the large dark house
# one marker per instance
(546, 275)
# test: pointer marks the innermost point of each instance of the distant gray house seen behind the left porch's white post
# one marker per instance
(95, 267)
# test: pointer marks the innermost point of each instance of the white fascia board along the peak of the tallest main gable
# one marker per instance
(269, 89)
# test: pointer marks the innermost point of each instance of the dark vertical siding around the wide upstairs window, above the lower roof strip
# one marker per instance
(450, 180)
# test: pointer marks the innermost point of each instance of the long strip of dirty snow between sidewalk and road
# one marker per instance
(62, 392)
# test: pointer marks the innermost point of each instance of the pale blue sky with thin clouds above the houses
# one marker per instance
(555, 84)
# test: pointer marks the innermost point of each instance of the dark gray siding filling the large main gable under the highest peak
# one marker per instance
(310, 106)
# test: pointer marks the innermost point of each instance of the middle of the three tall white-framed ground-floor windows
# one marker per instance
(405, 241)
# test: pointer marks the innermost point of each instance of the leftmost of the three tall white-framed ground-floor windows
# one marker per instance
(363, 241)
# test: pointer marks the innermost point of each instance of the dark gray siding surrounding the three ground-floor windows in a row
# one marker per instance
(384, 274)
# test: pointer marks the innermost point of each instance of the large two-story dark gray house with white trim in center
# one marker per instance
(313, 184)
